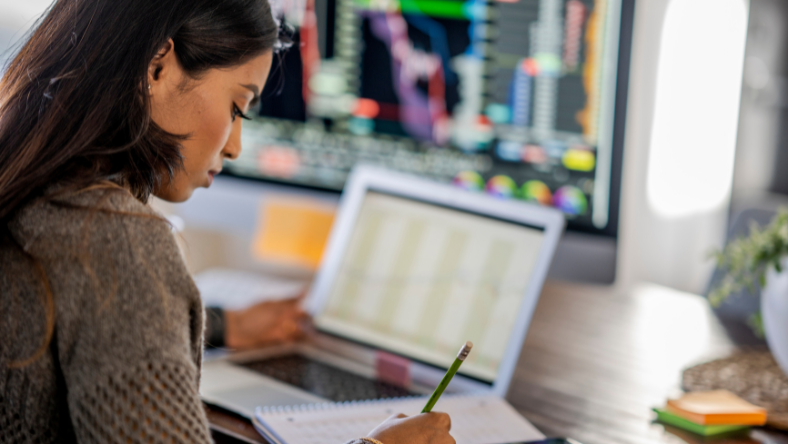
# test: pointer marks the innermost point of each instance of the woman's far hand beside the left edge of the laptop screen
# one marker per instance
(266, 323)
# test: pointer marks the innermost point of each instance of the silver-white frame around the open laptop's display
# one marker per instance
(369, 178)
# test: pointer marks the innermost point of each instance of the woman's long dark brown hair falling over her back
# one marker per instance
(73, 102)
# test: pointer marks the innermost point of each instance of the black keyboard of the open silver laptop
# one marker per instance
(324, 380)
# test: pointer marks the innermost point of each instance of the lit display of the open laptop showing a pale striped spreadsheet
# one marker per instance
(419, 279)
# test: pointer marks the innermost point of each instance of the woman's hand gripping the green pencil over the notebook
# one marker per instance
(425, 428)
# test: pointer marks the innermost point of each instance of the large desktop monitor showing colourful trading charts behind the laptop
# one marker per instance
(520, 99)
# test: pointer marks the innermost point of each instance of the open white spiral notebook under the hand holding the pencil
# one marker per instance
(475, 420)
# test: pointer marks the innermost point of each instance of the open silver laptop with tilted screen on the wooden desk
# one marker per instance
(413, 269)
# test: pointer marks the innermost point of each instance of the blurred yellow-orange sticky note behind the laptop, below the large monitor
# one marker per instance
(293, 232)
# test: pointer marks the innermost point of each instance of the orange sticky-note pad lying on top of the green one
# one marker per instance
(719, 407)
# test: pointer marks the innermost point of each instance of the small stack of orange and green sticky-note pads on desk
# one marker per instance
(711, 413)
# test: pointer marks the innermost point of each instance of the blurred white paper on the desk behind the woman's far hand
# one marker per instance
(236, 290)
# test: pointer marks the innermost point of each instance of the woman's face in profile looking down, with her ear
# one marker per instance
(208, 110)
